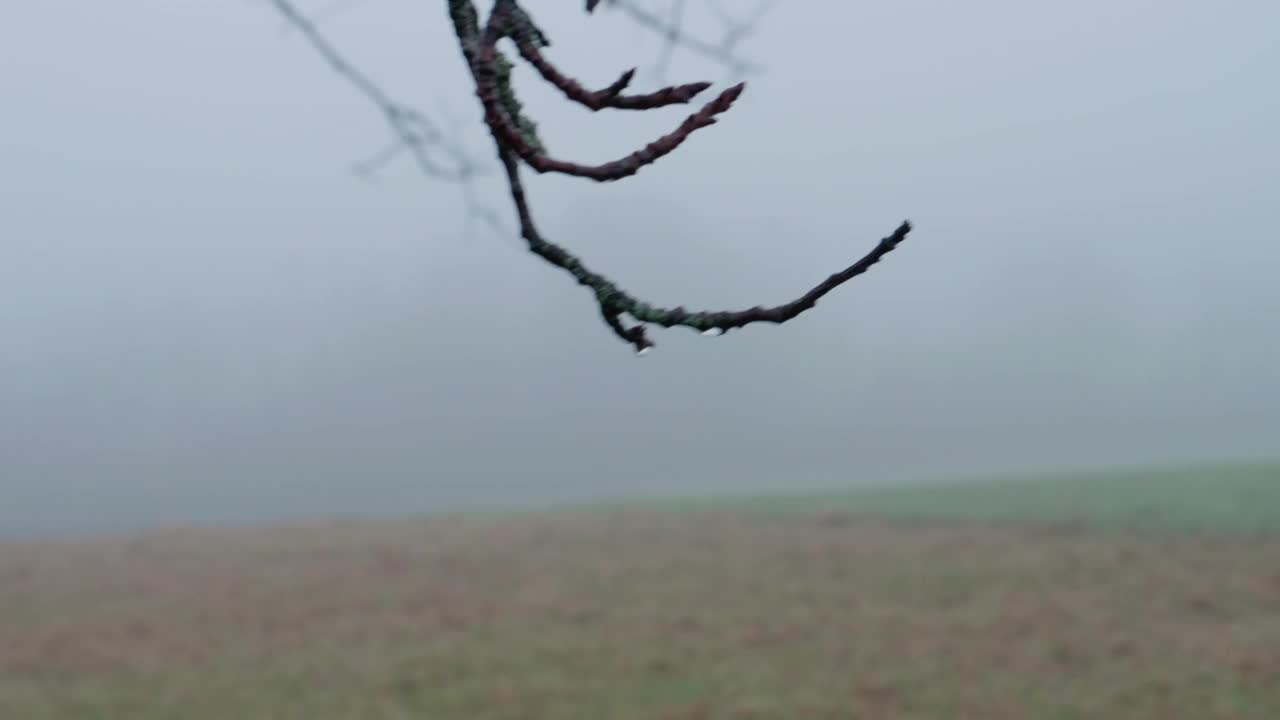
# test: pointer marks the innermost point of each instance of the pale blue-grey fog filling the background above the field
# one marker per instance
(209, 318)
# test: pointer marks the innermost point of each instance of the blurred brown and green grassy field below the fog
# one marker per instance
(988, 601)
